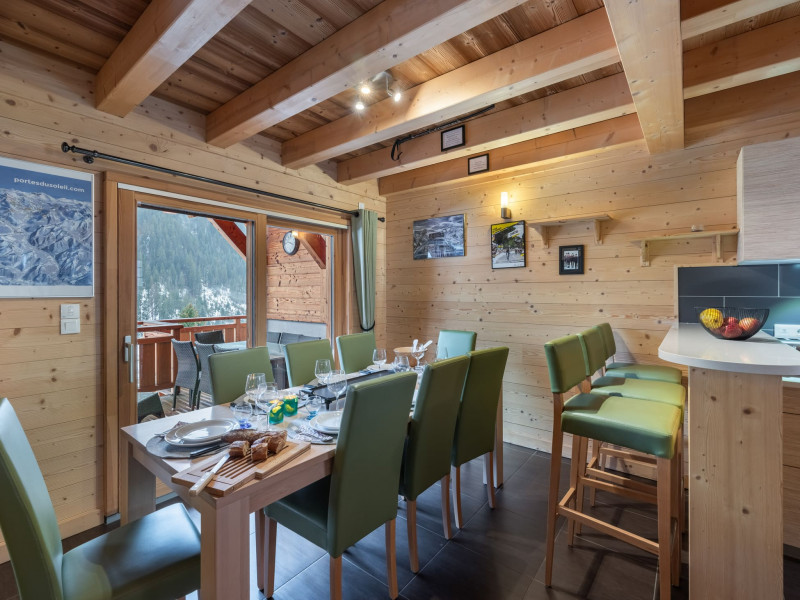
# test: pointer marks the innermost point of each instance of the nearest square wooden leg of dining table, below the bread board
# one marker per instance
(225, 551)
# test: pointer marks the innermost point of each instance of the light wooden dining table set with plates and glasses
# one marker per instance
(224, 520)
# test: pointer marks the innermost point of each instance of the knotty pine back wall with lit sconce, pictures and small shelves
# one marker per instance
(645, 195)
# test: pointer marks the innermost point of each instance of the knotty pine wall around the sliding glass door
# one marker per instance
(55, 382)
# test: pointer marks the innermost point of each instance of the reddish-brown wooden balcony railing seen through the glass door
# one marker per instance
(157, 361)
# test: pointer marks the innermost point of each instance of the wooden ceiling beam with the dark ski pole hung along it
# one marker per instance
(590, 103)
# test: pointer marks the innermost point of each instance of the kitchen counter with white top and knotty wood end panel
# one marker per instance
(735, 460)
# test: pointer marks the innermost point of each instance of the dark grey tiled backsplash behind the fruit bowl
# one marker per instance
(776, 287)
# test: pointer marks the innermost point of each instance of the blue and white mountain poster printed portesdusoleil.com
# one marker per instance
(46, 231)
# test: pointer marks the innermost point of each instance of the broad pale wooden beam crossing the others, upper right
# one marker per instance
(648, 36)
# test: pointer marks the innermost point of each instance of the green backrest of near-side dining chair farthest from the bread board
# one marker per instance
(477, 414)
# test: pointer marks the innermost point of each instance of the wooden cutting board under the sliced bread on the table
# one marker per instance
(238, 471)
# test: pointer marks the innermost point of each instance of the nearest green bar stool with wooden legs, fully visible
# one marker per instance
(642, 425)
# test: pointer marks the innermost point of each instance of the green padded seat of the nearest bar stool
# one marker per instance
(642, 425)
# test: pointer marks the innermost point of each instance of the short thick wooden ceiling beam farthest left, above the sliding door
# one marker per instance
(167, 34)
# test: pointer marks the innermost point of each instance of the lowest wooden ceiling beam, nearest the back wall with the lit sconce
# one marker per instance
(593, 138)
